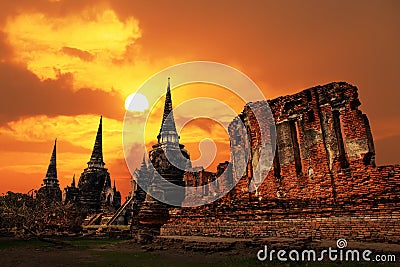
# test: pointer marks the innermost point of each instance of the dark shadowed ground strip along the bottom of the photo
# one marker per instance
(163, 252)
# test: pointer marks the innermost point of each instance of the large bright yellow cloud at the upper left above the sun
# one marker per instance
(89, 44)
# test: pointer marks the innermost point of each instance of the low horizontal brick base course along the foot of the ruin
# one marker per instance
(366, 227)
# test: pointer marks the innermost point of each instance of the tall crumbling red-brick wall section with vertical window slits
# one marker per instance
(321, 135)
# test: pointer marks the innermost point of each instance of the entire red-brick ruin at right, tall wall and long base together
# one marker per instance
(323, 184)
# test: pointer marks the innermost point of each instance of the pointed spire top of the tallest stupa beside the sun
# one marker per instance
(168, 123)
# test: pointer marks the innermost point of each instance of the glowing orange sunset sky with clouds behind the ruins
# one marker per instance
(63, 63)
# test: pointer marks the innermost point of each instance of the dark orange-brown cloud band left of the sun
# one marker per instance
(22, 94)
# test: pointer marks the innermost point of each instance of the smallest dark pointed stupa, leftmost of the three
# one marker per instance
(51, 188)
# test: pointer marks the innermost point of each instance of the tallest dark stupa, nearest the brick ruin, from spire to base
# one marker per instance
(168, 159)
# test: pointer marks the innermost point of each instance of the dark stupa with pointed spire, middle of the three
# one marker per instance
(95, 192)
